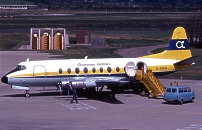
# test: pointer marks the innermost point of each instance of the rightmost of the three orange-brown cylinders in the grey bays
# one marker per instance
(58, 41)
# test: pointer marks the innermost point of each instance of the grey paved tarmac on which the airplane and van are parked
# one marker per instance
(46, 109)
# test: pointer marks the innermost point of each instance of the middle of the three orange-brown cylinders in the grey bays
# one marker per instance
(45, 41)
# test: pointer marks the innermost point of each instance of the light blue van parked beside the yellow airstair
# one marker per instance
(179, 94)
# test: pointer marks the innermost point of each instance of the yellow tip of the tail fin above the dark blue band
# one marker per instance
(179, 33)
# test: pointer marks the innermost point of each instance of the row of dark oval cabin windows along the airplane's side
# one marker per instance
(85, 70)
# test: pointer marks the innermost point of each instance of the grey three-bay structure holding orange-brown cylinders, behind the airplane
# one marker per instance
(48, 39)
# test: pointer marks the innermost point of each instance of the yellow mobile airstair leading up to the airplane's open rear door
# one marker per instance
(153, 85)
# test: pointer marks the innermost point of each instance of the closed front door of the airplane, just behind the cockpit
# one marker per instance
(39, 72)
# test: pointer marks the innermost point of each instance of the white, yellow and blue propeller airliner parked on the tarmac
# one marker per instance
(91, 73)
